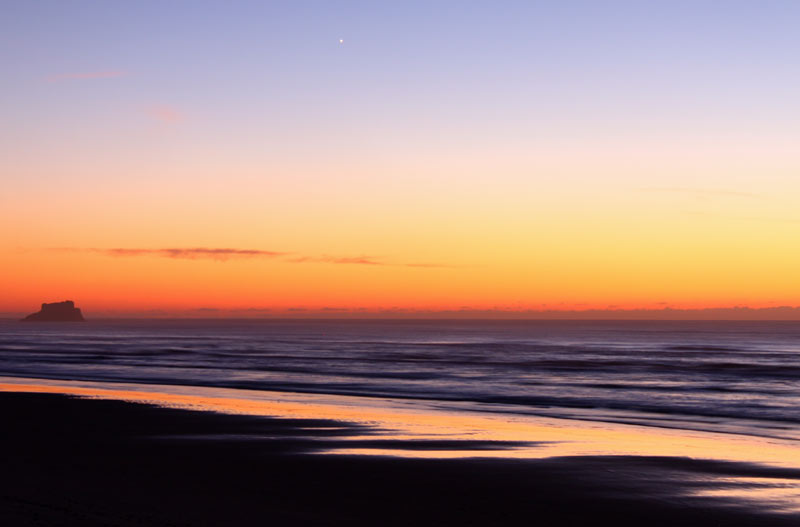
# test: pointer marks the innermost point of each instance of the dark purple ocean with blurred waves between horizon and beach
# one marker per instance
(741, 377)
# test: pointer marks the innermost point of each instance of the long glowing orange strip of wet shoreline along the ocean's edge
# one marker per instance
(421, 419)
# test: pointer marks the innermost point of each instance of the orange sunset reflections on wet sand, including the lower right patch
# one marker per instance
(728, 466)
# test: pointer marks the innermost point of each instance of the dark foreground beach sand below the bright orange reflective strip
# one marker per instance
(100, 461)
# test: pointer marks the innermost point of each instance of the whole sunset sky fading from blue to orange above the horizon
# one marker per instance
(289, 157)
